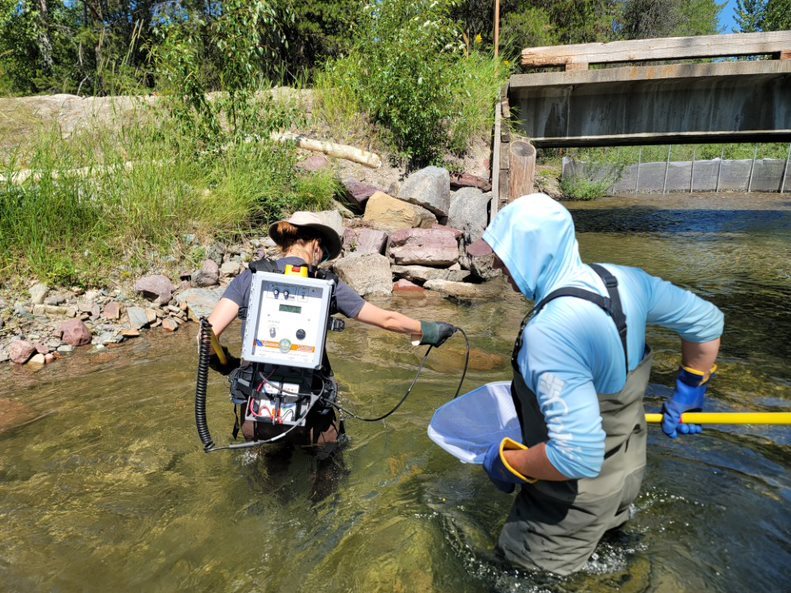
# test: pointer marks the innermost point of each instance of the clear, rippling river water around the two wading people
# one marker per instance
(106, 488)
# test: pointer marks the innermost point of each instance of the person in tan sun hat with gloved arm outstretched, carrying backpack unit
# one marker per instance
(305, 240)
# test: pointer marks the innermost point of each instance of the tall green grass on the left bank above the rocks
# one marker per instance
(146, 186)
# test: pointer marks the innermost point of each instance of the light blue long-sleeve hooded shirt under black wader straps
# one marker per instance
(571, 349)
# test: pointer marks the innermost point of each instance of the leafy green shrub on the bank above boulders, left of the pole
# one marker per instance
(407, 72)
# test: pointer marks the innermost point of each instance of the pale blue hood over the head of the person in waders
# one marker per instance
(534, 237)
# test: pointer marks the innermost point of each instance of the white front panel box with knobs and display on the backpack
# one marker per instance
(287, 320)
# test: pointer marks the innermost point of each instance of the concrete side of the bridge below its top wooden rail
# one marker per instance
(656, 104)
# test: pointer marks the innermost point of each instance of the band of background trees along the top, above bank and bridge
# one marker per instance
(116, 46)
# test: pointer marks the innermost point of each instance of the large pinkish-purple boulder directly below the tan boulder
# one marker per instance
(437, 246)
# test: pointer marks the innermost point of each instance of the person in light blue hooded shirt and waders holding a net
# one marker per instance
(581, 367)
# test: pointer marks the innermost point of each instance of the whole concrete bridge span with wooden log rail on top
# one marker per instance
(655, 102)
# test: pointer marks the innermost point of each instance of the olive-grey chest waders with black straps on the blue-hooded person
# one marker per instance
(555, 526)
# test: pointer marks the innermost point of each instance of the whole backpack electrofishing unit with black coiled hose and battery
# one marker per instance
(286, 373)
